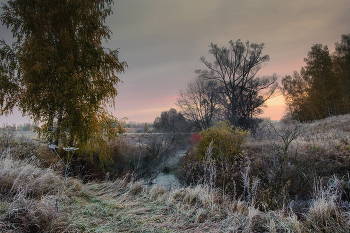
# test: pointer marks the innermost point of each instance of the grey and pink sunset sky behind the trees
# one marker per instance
(163, 40)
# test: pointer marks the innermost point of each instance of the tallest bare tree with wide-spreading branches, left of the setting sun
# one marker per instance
(236, 68)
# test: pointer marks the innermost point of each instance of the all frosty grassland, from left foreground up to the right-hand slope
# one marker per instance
(35, 197)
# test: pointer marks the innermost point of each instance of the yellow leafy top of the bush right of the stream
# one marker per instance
(227, 142)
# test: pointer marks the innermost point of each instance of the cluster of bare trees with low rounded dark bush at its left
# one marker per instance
(228, 89)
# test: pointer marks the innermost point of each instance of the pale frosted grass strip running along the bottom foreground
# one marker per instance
(114, 207)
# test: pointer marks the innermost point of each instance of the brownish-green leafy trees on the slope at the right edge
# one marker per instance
(322, 87)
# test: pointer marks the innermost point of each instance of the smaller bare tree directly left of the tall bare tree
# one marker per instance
(200, 101)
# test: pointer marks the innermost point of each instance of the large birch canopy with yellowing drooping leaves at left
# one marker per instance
(57, 71)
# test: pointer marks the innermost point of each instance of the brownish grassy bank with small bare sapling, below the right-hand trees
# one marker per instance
(319, 149)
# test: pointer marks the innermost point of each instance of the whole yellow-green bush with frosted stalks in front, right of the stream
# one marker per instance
(216, 159)
